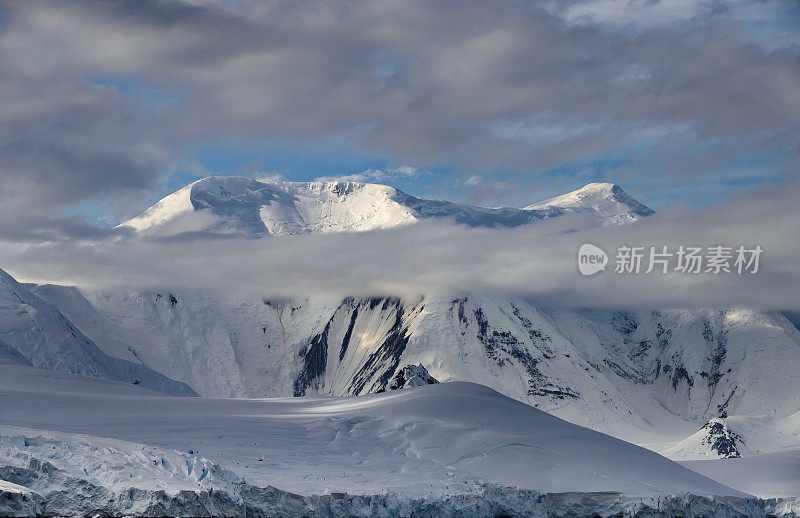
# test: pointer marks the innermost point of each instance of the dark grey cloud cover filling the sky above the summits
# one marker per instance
(516, 85)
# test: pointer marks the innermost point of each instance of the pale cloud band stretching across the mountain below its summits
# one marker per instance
(536, 261)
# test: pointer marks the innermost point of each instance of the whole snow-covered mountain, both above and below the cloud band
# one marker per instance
(671, 380)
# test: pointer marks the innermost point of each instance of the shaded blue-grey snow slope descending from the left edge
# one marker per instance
(35, 330)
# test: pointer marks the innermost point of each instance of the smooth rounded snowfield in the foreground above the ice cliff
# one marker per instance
(437, 439)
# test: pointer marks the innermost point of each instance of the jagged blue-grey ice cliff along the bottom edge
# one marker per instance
(62, 495)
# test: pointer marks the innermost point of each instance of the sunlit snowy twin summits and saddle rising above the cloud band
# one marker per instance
(244, 205)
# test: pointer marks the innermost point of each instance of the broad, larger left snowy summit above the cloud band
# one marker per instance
(239, 204)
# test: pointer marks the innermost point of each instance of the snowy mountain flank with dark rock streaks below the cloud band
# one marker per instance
(650, 377)
